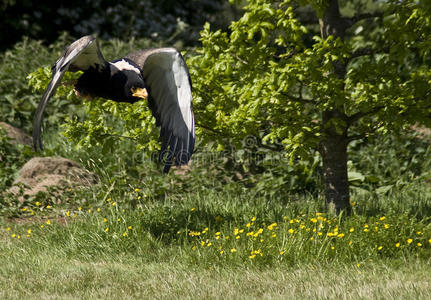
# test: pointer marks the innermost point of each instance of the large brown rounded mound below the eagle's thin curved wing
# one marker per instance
(42, 172)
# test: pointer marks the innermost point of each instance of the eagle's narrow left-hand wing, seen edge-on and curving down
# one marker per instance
(80, 55)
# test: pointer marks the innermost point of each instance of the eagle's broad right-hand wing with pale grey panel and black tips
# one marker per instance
(168, 83)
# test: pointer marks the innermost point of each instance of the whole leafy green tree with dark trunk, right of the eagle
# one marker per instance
(302, 74)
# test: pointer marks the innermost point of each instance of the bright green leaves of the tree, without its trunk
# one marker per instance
(261, 79)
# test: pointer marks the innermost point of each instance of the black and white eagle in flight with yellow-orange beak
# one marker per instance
(161, 72)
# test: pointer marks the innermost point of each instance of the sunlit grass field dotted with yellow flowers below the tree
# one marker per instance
(217, 246)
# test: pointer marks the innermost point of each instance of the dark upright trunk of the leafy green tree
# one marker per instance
(333, 147)
